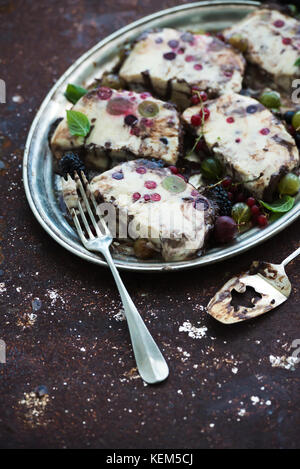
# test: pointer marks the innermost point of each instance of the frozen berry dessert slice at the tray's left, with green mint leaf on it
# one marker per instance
(124, 125)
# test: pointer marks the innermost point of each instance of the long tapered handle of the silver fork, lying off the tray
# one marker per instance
(150, 361)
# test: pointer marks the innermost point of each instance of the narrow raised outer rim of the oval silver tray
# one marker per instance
(229, 252)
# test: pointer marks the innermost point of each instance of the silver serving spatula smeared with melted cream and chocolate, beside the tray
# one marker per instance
(269, 281)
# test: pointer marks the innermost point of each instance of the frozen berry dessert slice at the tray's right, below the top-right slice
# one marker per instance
(251, 143)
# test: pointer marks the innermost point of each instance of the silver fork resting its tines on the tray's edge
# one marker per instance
(150, 361)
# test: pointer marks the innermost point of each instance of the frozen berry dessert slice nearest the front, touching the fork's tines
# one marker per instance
(146, 201)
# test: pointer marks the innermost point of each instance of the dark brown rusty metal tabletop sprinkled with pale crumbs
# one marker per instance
(230, 387)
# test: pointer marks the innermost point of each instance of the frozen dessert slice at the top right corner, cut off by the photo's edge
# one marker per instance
(272, 43)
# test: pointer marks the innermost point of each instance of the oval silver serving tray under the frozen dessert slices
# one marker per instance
(42, 186)
